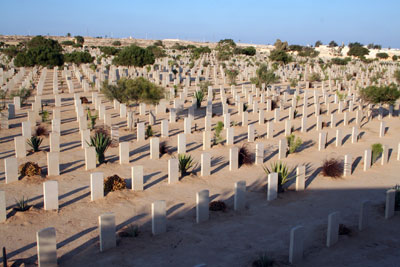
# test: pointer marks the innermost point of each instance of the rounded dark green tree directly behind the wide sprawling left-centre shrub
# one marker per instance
(134, 56)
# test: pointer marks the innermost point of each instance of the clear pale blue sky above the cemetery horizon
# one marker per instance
(250, 21)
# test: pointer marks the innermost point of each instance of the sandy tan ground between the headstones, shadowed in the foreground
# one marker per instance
(227, 239)
